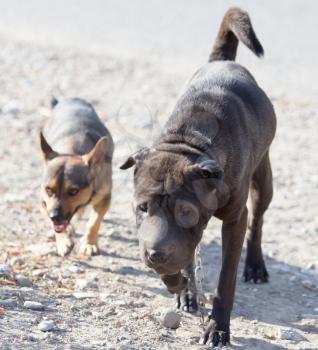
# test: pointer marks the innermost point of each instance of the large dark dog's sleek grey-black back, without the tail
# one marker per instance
(226, 106)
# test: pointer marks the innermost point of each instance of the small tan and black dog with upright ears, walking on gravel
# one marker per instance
(77, 149)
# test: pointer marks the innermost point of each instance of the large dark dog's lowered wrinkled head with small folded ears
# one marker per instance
(175, 198)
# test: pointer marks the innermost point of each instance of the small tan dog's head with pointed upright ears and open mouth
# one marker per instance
(68, 182)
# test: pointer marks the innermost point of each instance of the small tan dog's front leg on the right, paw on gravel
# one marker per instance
(89, 245)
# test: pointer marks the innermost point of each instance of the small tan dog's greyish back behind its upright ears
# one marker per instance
(74, 127)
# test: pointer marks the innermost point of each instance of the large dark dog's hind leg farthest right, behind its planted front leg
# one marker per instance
(261, 192)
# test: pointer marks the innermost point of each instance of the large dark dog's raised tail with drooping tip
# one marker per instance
(236, 26)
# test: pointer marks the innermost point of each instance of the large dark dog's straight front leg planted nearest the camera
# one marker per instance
(218, 329)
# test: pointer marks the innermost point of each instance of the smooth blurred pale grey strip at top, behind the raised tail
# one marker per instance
(177, 33)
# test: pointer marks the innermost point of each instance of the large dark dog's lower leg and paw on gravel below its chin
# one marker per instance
(187, 299)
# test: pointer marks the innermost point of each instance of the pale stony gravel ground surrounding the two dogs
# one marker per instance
(112, 301)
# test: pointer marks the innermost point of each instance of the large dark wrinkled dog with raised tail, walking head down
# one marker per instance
(213, 153)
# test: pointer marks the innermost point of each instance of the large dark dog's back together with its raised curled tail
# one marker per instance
(224, 105)
